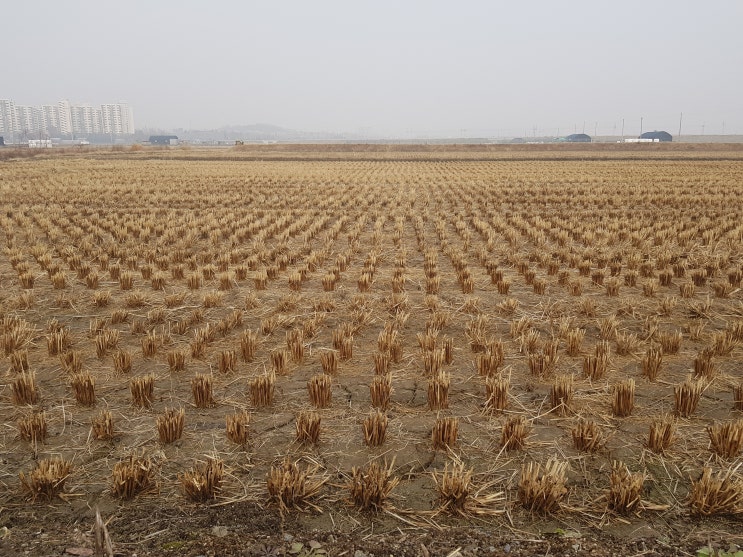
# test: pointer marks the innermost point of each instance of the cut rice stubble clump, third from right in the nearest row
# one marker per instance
(542, 493)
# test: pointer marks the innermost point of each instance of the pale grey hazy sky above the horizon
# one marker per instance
(393, 67)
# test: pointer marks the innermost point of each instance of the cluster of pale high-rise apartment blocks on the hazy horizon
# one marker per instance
(64, 119)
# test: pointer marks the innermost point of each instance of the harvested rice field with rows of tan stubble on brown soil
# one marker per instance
(395, 351)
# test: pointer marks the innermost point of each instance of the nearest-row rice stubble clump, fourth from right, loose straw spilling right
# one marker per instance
(458, 496)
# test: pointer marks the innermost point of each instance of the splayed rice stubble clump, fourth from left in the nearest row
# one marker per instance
(291, 487)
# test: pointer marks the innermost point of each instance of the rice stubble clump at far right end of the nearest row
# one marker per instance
(722, 494)
